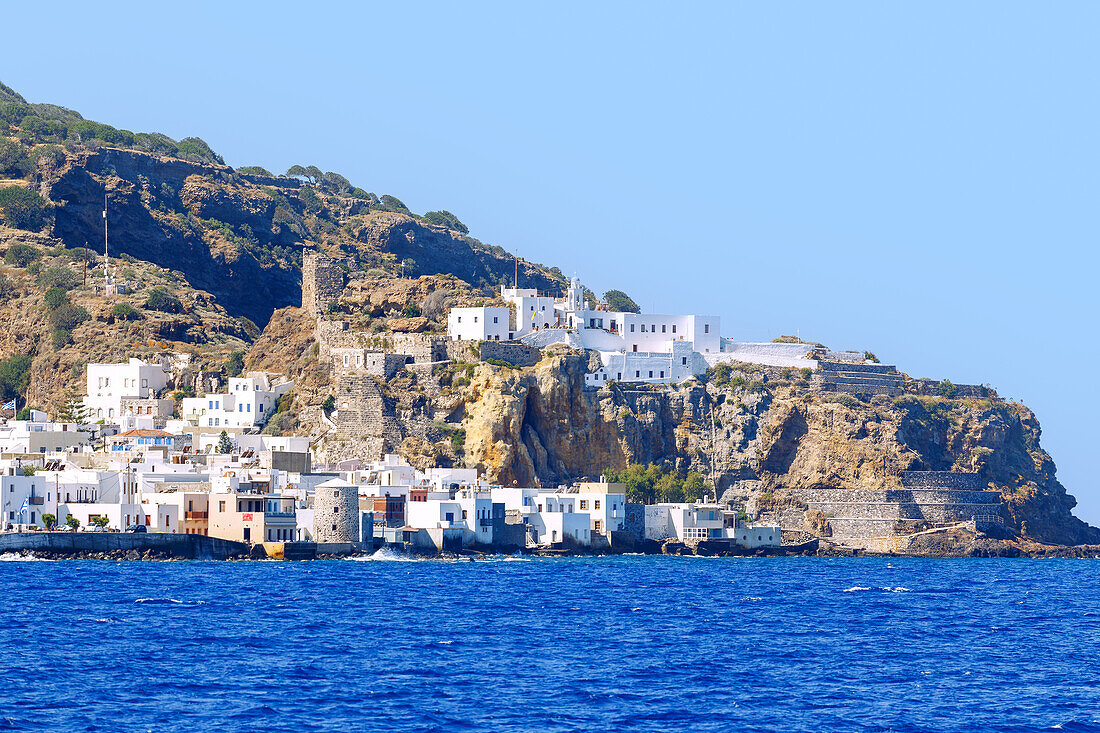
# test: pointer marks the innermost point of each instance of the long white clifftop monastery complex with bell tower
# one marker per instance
(633, 347)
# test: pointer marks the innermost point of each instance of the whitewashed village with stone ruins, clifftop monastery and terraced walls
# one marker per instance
(135, 457)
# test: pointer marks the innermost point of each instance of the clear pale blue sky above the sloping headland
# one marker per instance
(917, 180)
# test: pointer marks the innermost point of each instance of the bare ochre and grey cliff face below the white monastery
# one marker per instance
(763, 435)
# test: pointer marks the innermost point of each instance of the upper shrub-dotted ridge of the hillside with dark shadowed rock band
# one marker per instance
(238, 235)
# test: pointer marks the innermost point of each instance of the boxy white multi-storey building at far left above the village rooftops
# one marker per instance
(133, 388)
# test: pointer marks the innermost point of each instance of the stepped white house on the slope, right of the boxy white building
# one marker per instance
(247, 406)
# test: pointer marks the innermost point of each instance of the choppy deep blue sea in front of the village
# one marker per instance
(535, 644)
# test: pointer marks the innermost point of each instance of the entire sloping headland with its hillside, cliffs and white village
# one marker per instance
(301, 326)
